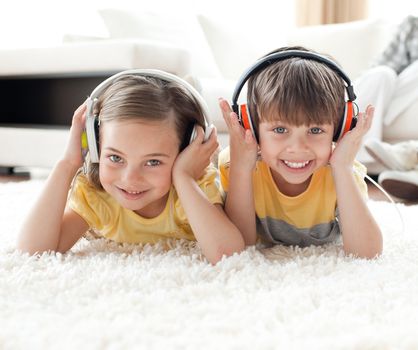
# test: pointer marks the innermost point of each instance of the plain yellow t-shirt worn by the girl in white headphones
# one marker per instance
(108, 218)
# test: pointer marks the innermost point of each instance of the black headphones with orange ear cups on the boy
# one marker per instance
(349, 118)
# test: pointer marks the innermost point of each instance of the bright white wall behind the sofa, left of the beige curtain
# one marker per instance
(33, 23)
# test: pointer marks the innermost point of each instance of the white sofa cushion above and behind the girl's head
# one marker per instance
(179, 30)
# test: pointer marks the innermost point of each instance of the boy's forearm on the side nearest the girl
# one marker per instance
(239, 204)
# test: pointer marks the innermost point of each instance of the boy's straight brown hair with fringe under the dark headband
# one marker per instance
(296, 90)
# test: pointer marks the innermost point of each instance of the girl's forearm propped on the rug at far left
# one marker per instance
(41, 229)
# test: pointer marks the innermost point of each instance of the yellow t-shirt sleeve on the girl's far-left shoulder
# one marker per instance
(86, 202)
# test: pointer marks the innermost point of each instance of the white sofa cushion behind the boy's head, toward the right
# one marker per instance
(354, 45)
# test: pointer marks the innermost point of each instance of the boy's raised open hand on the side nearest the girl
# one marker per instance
(243, 145)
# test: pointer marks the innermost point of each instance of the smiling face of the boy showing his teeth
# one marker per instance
(294, 153)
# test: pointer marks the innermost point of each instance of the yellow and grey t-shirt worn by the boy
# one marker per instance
(303, 220)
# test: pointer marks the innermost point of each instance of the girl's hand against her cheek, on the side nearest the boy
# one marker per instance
(195, 158)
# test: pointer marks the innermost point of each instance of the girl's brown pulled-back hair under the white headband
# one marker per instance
(147, 98)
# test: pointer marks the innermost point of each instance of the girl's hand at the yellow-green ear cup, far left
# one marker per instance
(73, 153)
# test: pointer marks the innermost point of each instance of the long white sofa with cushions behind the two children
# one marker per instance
(210, 51)
